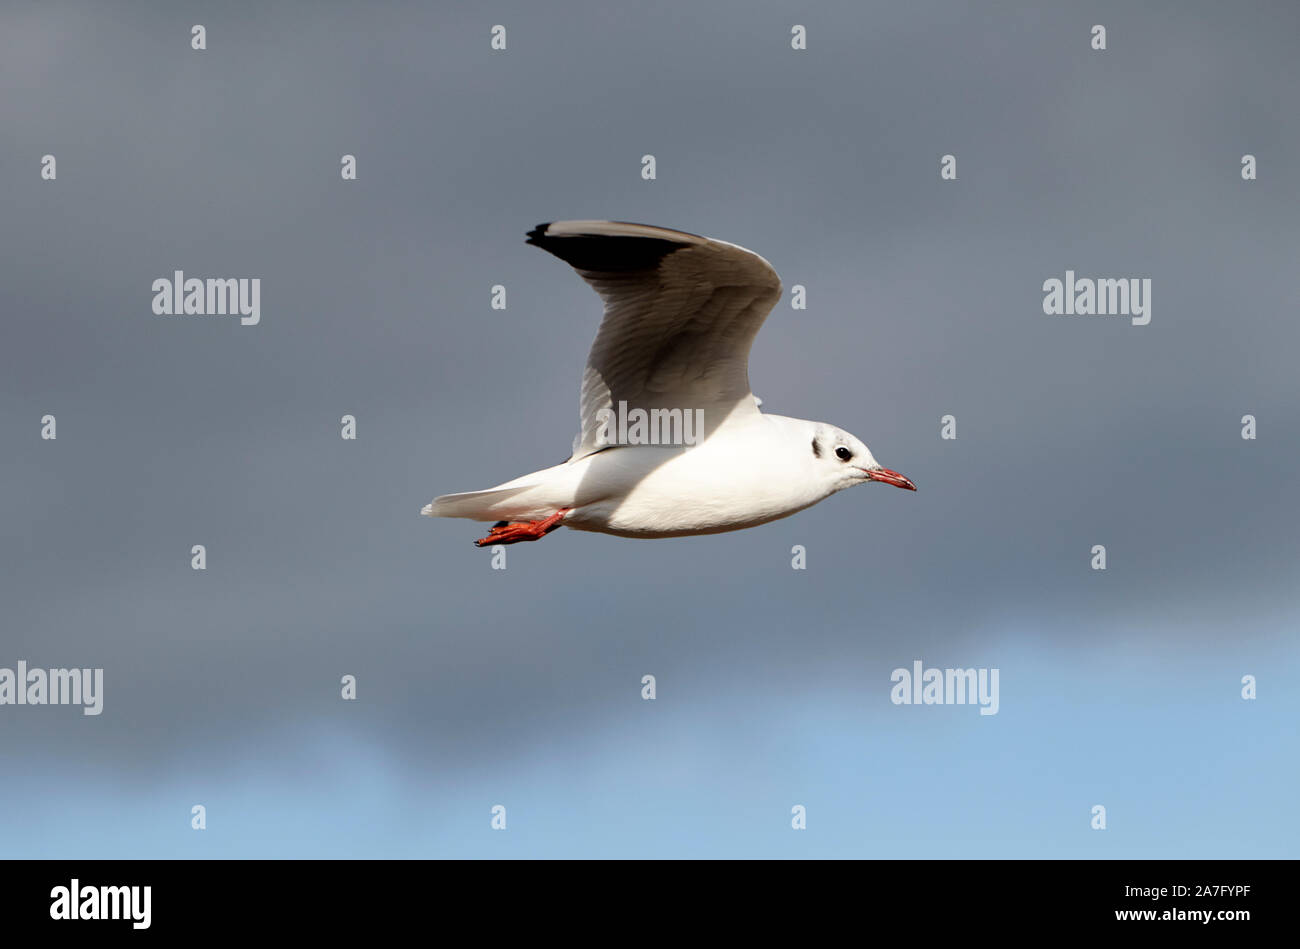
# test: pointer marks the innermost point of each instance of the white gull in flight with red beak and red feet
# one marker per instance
(681, 315)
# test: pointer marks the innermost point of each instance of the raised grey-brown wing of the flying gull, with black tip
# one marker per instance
(681, 315)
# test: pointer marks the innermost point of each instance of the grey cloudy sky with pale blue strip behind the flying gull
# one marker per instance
(523, 687)
